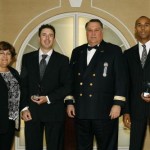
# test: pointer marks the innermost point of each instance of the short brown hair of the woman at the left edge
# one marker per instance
(7, 46)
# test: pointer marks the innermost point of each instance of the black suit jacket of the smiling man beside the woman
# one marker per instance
(55, 84)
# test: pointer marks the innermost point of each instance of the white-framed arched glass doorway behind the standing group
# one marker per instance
(70, 32)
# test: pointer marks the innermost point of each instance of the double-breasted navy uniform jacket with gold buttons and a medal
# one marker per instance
(101, 84)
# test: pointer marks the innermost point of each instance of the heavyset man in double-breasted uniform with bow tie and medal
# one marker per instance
(99, 88)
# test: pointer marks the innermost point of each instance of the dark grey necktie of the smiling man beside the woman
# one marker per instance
(42, 65)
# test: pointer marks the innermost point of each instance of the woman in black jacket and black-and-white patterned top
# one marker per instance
(9, 96)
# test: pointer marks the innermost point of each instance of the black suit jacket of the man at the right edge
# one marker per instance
(136, 107)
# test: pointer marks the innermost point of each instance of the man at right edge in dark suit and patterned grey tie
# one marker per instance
(137, 110)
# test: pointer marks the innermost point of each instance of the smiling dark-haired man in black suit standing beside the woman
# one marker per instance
(43, 93)
